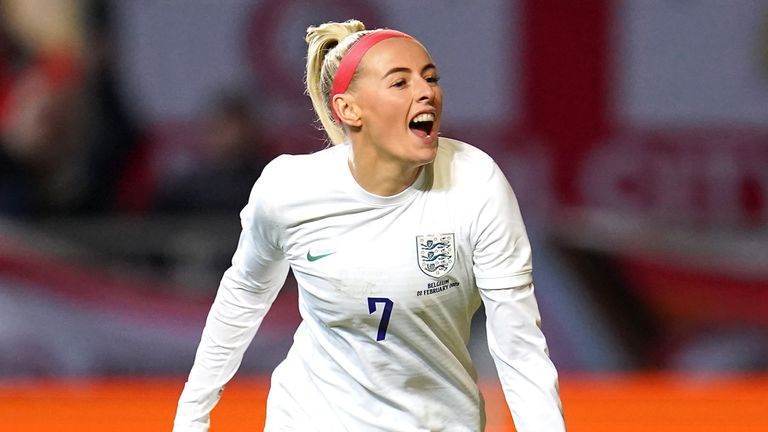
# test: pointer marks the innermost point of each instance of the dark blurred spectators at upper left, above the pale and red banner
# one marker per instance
(68, 143)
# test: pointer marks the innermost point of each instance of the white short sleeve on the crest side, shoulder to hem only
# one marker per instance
(502, 252)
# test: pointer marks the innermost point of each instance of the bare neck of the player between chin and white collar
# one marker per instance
(383, 177)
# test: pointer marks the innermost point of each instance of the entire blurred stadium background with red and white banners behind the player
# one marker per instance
(635, 134)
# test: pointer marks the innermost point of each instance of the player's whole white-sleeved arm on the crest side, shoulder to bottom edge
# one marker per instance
(503, 271)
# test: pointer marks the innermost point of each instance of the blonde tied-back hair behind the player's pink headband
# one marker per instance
(327, 44)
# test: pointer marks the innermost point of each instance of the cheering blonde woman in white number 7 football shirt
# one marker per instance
(395, 236)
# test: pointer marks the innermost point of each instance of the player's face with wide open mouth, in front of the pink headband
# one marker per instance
(399, 101)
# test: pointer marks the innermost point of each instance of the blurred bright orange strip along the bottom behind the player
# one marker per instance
(594, 403)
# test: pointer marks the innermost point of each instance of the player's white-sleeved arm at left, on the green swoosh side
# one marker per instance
(247, 290)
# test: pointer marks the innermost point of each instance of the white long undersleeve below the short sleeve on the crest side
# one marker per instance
(519, 350)
